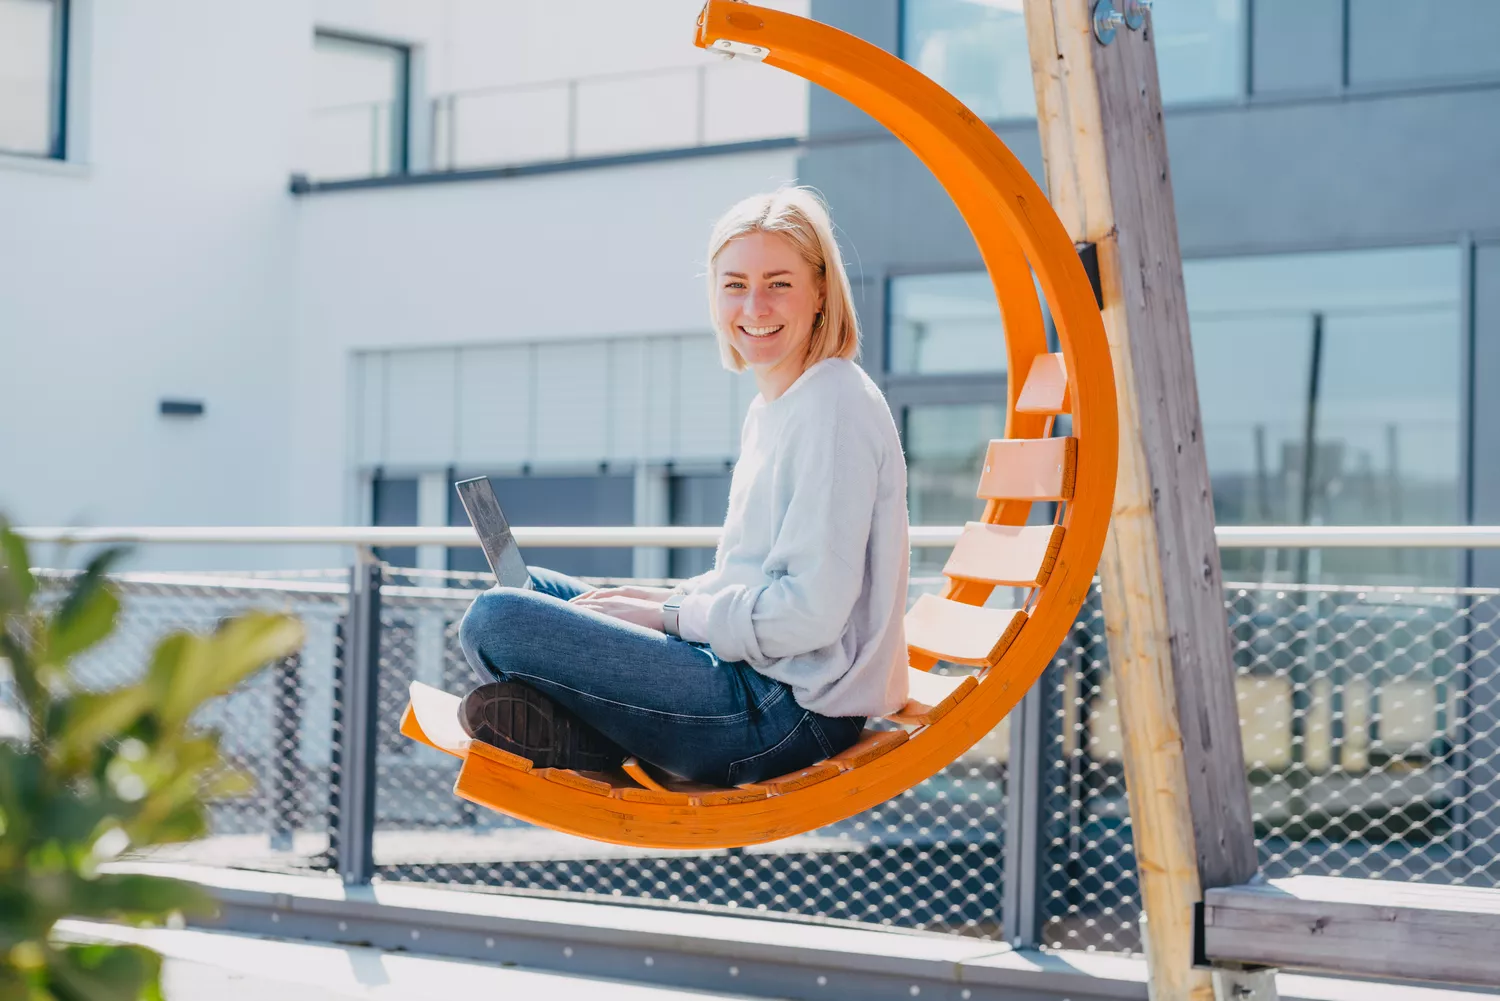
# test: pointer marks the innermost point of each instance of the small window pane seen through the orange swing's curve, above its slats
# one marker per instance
(944, 325)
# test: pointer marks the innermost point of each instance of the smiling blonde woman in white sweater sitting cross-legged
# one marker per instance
(775, 660)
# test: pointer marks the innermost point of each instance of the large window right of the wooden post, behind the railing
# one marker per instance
(1331, 394)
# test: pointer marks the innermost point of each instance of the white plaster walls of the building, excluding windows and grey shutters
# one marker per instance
(170, 260)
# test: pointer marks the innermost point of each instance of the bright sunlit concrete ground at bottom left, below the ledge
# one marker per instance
(224, 967)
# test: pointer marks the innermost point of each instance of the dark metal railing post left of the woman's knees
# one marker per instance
(355, 733)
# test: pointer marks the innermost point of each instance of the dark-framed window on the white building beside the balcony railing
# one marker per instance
(361, 97)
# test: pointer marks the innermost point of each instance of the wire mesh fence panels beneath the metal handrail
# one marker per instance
(1370, 723)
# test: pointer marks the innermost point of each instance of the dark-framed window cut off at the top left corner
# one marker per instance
(34, 73)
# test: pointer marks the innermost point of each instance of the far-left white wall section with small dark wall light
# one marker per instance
(161, 268)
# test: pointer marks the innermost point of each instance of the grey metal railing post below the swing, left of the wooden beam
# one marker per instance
(1019, 912)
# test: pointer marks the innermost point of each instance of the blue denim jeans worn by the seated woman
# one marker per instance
(665, 700)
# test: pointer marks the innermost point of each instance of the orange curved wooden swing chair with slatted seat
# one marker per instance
(1018, 233)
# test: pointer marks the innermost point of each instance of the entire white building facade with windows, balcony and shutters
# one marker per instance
(307, 263)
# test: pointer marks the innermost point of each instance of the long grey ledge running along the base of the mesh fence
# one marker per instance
(758, 957)
